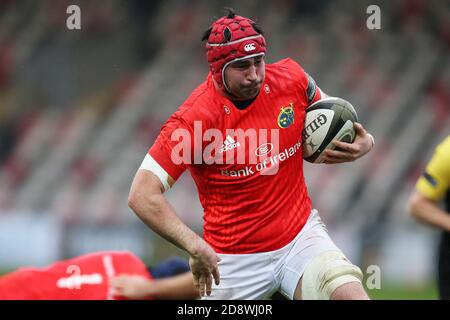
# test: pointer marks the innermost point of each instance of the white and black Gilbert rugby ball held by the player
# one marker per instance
(327, 120)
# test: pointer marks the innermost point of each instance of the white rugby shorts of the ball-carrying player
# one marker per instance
(258, 275)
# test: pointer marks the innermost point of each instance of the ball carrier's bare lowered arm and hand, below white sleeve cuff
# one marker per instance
(148, 202)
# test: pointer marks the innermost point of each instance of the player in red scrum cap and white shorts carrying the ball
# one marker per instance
(239, 135)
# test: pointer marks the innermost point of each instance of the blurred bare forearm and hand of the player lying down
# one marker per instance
(137, 287)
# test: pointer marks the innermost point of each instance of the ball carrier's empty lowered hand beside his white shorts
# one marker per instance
(204, 267)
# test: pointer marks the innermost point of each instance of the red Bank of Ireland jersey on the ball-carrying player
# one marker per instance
(250, 183)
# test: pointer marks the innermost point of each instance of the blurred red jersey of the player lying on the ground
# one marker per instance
(81, 278)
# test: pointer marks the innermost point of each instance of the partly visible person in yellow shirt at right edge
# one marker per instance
(431, 190)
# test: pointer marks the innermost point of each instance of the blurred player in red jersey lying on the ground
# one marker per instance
(111, 275)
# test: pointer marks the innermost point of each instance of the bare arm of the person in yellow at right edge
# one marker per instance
(427, 211)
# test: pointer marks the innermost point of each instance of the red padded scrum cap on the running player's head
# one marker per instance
(229, 39)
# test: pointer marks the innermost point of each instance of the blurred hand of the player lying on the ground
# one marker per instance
(134, 287)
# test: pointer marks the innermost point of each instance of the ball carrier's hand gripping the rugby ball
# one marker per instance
(348, 152)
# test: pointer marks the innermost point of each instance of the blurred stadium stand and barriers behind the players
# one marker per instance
(80, 108)
